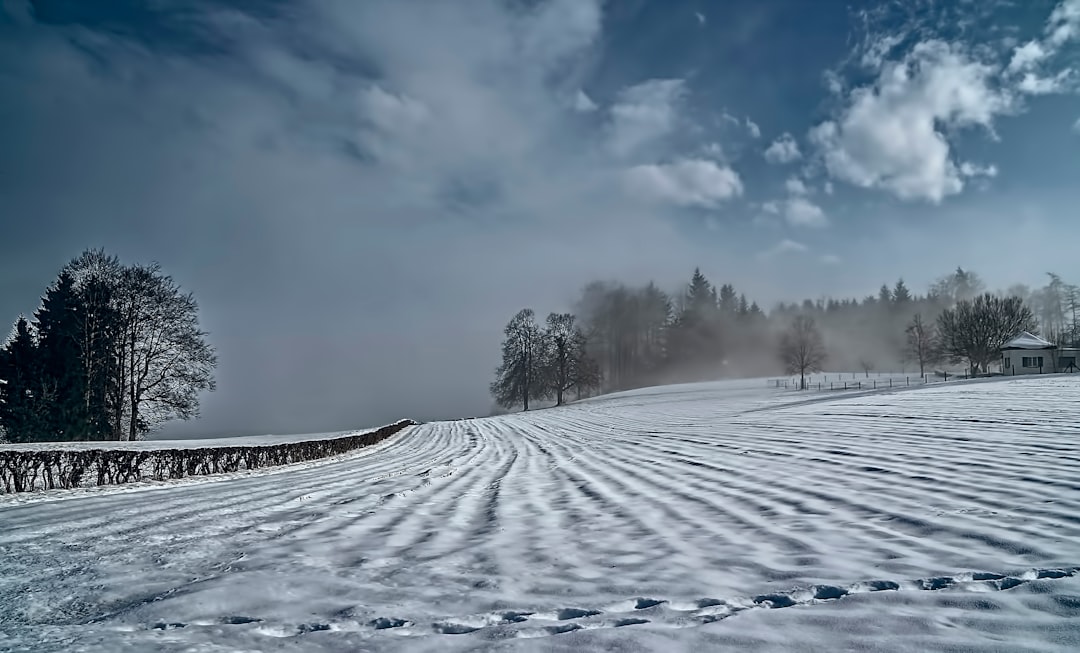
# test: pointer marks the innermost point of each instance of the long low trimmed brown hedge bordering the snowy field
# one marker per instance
(26, 471)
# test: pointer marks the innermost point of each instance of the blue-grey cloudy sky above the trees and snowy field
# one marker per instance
(361, 193)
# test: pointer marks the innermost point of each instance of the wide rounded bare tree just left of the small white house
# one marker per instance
(977, 330)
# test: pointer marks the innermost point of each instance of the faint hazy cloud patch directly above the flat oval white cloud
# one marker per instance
(644, 114)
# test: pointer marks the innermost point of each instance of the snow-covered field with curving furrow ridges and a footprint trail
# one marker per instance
(724, 516)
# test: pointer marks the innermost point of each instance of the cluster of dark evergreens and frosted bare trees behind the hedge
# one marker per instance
(112, 353)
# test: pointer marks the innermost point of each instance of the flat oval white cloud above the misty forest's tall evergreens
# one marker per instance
(686, 183)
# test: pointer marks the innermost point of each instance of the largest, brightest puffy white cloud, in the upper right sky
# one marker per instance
(890, 135)
